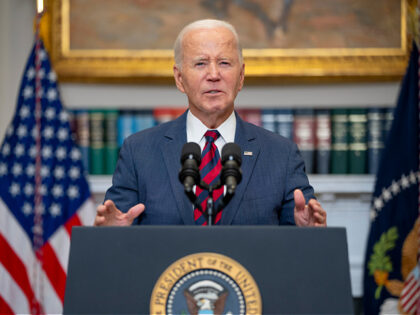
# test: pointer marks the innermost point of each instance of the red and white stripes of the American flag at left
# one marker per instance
(18, 261)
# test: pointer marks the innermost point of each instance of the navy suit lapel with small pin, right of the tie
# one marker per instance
(246, 139)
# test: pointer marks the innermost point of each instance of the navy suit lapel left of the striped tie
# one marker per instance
(174, 138)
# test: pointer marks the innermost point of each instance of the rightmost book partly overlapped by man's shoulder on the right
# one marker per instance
(304, 136)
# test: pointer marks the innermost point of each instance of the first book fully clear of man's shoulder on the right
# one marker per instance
(322, 141)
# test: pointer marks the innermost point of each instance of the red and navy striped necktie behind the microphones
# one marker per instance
(210, 168)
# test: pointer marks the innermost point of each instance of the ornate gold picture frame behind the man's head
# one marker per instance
(262, 65)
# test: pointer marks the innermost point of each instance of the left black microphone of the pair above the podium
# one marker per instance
(189, 175)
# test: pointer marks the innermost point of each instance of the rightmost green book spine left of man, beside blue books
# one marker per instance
(111, 141)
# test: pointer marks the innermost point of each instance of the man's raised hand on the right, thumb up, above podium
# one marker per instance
(310, 214)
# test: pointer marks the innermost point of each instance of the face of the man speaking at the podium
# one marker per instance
(211, 73)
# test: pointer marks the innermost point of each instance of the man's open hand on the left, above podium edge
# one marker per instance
(108, 214)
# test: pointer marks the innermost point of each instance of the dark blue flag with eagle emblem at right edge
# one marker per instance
(391, 277)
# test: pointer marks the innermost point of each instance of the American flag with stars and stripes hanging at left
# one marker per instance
(43, 193)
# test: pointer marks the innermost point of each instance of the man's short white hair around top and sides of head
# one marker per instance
(206, 24)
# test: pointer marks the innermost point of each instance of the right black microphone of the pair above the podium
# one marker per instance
(231, 174)
